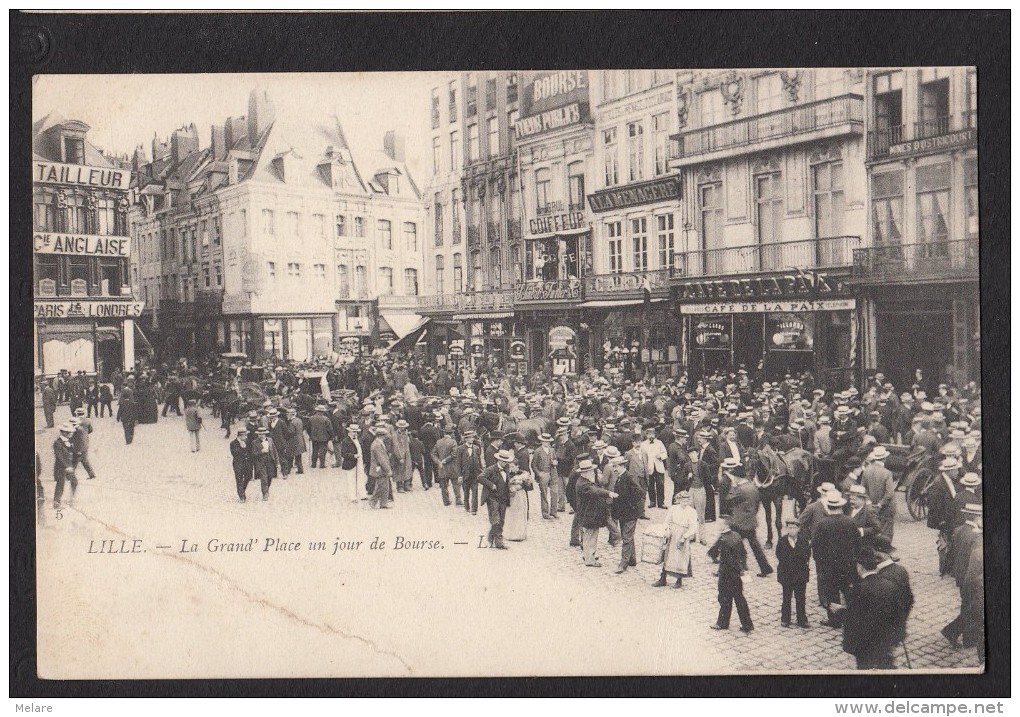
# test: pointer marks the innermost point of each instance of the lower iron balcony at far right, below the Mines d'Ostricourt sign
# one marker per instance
(912, 264)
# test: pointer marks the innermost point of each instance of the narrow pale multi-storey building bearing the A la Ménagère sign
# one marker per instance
(637, 219)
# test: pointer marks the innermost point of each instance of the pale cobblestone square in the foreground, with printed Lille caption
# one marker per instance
(350, 613)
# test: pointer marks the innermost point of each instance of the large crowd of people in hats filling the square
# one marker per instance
(602, 453)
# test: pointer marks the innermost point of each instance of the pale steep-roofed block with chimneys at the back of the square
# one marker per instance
(273, 242)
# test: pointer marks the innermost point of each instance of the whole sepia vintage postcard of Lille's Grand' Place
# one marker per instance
(507, 374)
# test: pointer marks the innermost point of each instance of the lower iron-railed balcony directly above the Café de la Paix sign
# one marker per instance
(829, 252)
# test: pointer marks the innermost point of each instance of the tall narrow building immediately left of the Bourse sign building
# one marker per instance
(473, 201)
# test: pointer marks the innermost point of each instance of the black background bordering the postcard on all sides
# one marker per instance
(261, 42)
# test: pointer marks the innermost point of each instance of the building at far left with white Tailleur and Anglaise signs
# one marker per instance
(85, 311)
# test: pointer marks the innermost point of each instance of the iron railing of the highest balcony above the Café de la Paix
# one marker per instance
(787, 123)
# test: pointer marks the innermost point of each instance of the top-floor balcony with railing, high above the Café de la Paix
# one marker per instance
(825, 119)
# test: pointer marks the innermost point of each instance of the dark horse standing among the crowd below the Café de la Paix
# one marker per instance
(782, 476)
